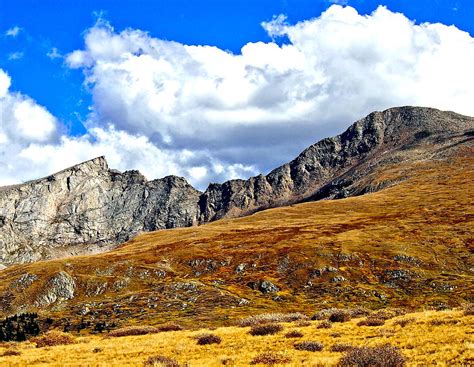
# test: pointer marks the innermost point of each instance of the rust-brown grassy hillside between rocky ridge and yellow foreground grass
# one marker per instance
(409, 245)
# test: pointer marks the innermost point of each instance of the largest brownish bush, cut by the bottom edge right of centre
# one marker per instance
(382, 356)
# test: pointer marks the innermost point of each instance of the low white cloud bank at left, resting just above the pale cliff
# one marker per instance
(33, 143)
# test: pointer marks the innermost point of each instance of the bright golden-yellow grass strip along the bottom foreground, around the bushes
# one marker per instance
(446, 344)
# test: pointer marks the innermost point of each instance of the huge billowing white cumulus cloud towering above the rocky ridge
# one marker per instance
(208, 114)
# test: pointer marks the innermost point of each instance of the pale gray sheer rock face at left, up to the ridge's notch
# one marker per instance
(88, 208)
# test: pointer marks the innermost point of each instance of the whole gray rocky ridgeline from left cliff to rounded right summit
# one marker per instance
(90, 208)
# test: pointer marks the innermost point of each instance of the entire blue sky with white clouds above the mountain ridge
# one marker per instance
(215, 90)
